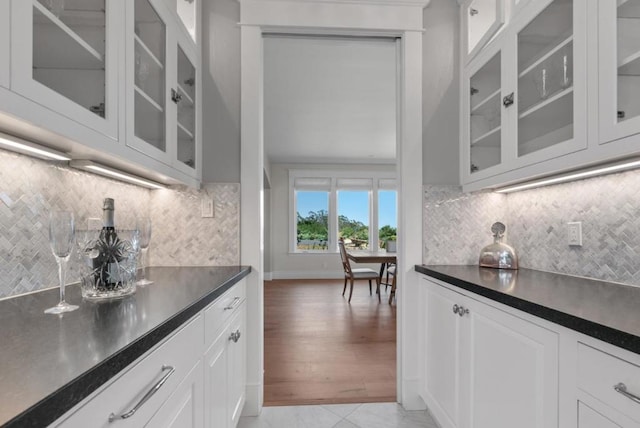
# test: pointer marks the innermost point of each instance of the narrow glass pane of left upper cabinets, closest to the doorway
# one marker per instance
(186, 89)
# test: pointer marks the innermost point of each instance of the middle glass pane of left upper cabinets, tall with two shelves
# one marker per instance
(150, 64)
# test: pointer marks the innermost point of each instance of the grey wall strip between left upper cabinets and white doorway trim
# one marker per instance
(221, 91)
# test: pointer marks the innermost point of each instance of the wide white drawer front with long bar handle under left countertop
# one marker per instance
(180, 352)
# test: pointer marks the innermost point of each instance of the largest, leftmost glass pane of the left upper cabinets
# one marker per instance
(69, 50)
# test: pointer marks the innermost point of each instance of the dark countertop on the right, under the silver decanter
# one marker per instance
(604, 310)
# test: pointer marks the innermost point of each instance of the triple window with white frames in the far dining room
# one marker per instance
(358, 206)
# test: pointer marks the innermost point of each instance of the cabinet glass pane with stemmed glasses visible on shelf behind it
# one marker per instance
(545, 79)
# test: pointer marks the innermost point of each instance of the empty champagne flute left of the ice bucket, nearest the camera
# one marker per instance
(61, 239)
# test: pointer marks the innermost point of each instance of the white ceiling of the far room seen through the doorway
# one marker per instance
(329, 100)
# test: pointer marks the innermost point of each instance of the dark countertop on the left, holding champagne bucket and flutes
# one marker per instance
(49, 363)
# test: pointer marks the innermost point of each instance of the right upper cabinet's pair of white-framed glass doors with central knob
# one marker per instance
(525, 96)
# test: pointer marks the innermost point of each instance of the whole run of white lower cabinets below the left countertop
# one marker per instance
(195, 378)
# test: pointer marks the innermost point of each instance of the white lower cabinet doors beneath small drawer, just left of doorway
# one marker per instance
(225, 374)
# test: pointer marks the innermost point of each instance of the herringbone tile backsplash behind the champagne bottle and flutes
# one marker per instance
(31, 188)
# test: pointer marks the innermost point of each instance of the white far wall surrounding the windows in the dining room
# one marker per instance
(294, 265)
